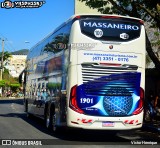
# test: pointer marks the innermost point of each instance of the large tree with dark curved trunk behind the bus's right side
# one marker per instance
(148, 10)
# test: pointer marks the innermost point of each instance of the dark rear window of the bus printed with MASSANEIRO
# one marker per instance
(110, 29)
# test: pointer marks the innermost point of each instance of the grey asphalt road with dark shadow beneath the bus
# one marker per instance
(14, 125)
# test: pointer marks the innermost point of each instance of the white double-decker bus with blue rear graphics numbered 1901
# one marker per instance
(89, 73)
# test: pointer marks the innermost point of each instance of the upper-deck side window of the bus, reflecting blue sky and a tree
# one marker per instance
(53, 43)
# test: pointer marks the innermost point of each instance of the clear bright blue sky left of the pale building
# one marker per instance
(22, 28)
